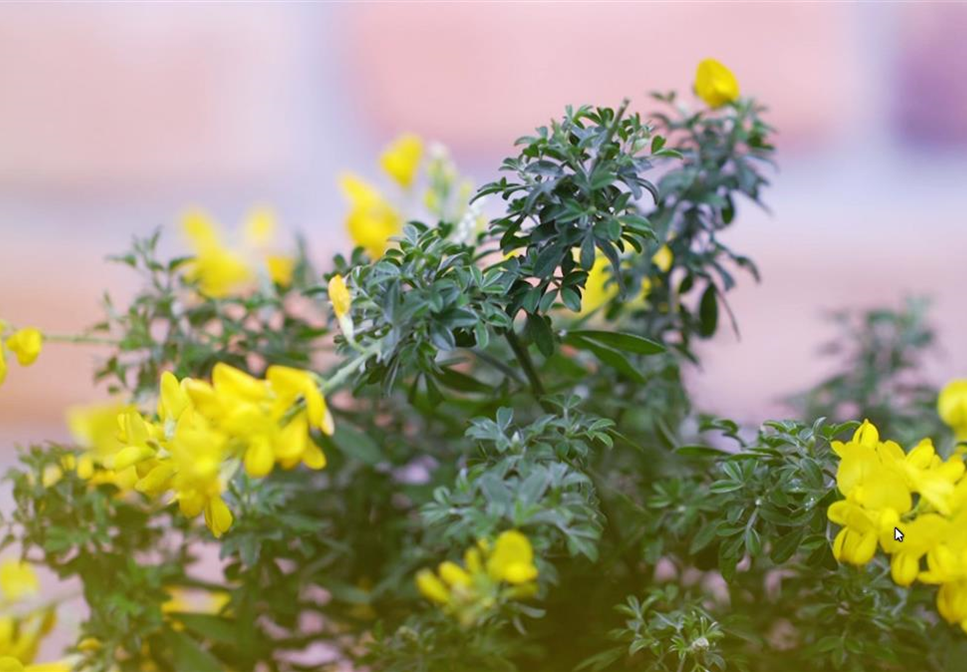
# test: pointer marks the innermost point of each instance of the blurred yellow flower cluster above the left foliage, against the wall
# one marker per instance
(220, 269)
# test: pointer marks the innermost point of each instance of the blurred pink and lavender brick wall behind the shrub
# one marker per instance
(115, 117)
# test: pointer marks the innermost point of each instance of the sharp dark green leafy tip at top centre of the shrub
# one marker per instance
(576, 186)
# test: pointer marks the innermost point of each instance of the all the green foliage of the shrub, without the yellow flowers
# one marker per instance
(472, 397)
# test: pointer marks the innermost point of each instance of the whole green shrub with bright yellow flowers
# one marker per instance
(467, 445)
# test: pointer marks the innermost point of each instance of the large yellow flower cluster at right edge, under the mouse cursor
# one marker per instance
(880, 481)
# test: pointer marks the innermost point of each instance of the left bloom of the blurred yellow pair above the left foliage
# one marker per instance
(217, 269)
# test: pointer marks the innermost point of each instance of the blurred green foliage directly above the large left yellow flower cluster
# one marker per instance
(159, 331)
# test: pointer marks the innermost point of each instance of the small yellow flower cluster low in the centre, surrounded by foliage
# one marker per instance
(491, 574)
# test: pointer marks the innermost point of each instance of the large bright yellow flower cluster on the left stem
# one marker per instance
(203, 432)
